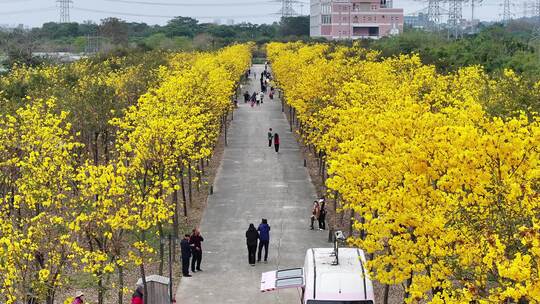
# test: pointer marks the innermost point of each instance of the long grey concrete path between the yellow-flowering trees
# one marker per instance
(254, 182)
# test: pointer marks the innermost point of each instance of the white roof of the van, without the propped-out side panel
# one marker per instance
(346, 281)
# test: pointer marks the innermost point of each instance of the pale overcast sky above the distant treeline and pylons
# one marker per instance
(36, 12)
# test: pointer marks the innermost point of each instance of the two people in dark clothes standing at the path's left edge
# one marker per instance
(191, 249)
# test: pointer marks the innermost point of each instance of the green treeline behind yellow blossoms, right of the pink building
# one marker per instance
(496, 47)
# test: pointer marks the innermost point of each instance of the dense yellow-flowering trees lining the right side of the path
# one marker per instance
(443, 193)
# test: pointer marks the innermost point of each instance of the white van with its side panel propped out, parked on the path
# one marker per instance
(326, 278)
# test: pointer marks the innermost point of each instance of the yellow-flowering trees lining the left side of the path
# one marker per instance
(97, 158)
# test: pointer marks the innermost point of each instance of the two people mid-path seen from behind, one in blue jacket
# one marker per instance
(258, 238)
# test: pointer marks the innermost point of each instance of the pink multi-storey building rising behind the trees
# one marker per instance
(354, 19)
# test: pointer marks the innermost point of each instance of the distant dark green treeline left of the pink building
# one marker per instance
(180, 33)
